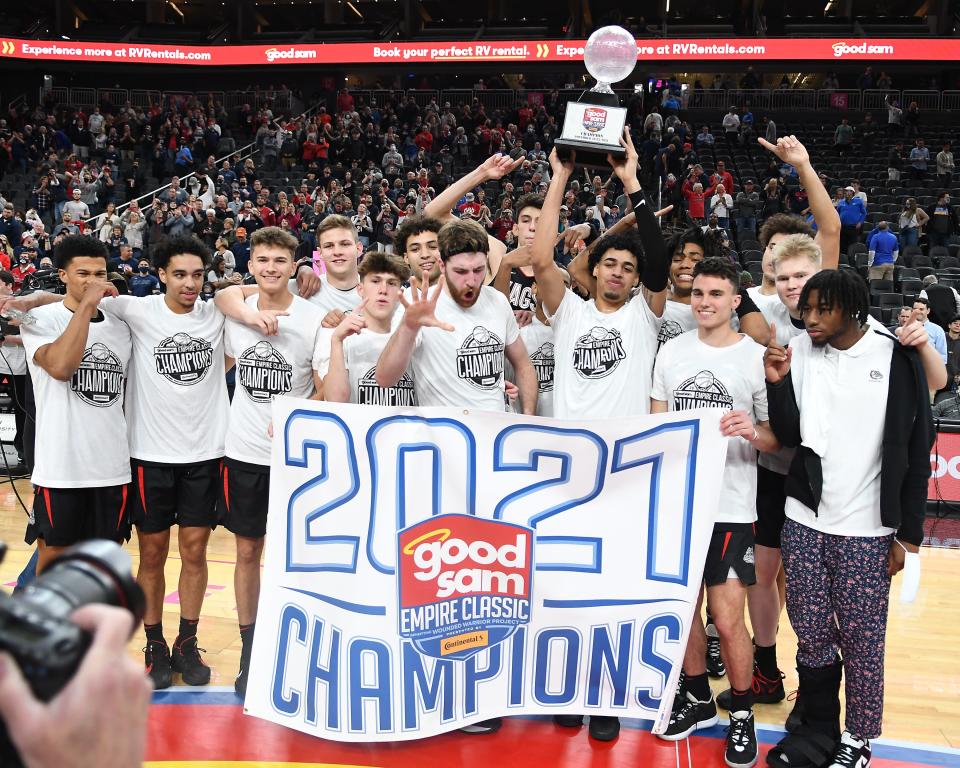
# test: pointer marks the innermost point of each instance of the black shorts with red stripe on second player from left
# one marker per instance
(174, 494)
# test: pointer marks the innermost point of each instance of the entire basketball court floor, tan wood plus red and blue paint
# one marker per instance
(205, 727)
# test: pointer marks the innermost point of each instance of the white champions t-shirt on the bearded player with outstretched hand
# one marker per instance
(464, 367)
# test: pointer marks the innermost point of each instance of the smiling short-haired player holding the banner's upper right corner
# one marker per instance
(718, 367)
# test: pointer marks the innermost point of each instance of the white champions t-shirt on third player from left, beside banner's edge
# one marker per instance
(267, 366)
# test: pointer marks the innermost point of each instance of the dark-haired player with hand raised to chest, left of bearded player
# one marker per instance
(346, 357)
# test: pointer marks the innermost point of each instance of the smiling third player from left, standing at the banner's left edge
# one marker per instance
(267, 366)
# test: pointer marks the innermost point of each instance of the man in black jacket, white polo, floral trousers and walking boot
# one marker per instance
(853, 401)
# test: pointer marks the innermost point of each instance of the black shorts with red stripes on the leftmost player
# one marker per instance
(65, 516)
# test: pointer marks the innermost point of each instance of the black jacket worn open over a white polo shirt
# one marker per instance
(908, 435)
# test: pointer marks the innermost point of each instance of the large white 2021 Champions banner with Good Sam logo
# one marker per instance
(431, 568)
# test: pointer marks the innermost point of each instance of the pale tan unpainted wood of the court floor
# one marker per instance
(923, 640)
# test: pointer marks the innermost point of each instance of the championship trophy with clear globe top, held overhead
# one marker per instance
(594, 122)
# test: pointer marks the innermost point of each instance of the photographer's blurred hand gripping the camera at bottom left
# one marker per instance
(99, 718)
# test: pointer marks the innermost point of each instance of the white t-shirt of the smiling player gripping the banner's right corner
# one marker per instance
(691, 374)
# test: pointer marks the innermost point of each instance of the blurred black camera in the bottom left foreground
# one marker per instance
(35, 626)
